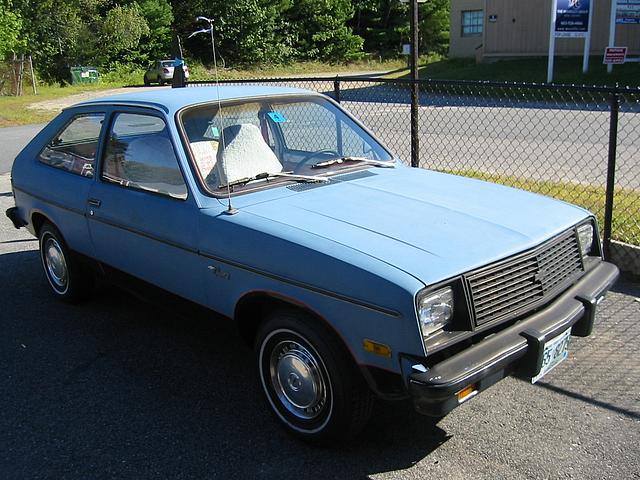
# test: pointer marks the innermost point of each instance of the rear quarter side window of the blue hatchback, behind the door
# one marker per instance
(74, 147)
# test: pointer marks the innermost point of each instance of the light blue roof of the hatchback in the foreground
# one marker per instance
(173, 99)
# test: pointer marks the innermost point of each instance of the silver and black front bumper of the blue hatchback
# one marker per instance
(514, 349)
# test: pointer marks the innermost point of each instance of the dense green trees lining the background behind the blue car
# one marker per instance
(108, 33)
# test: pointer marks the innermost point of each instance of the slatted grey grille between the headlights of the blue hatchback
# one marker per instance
(508, 288)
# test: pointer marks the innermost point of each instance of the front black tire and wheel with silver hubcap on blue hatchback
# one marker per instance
(324, 398)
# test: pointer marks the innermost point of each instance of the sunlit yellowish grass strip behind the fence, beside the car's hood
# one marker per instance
(626, 202)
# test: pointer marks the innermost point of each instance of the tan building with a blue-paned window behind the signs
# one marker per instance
(498, 29)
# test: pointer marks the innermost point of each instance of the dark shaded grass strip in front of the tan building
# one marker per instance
(567, 71)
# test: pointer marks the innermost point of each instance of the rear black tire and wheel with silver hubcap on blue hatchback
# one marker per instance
(70, 281)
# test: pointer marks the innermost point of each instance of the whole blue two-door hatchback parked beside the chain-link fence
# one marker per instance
(351, 275)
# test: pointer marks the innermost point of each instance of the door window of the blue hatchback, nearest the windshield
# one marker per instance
(139, 154)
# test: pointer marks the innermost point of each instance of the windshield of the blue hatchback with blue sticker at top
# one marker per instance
(253, 143)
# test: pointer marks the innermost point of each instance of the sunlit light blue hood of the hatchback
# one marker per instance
(428, 224)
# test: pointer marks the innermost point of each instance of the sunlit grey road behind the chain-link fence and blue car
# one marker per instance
(552, 144)
